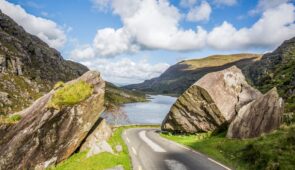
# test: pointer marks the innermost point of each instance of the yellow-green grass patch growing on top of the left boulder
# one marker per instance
(71, 94)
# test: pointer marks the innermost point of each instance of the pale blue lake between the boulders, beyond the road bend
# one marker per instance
(151, 112)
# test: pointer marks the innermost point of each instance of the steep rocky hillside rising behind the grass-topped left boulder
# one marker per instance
(28, 67)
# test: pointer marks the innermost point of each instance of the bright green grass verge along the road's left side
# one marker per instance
(103, 160)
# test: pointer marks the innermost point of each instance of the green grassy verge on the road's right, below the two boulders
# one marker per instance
(272, 151)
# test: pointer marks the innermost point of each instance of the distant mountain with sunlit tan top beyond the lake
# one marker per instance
(177, 78)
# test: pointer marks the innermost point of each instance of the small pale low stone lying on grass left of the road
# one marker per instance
(99, 147)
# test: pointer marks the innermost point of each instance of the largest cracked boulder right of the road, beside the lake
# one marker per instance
(210, 103)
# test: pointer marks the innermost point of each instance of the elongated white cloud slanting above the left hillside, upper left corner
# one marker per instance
(45, 29)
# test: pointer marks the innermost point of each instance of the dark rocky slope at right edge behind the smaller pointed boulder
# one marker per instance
(276, 69)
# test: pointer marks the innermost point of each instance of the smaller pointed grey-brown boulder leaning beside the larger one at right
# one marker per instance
(260, 116)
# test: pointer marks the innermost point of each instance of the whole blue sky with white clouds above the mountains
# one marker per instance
(133, 40)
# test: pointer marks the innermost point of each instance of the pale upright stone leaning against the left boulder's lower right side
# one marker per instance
(101, 132)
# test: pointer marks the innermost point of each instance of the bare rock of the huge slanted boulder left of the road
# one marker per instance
(47, 135)
